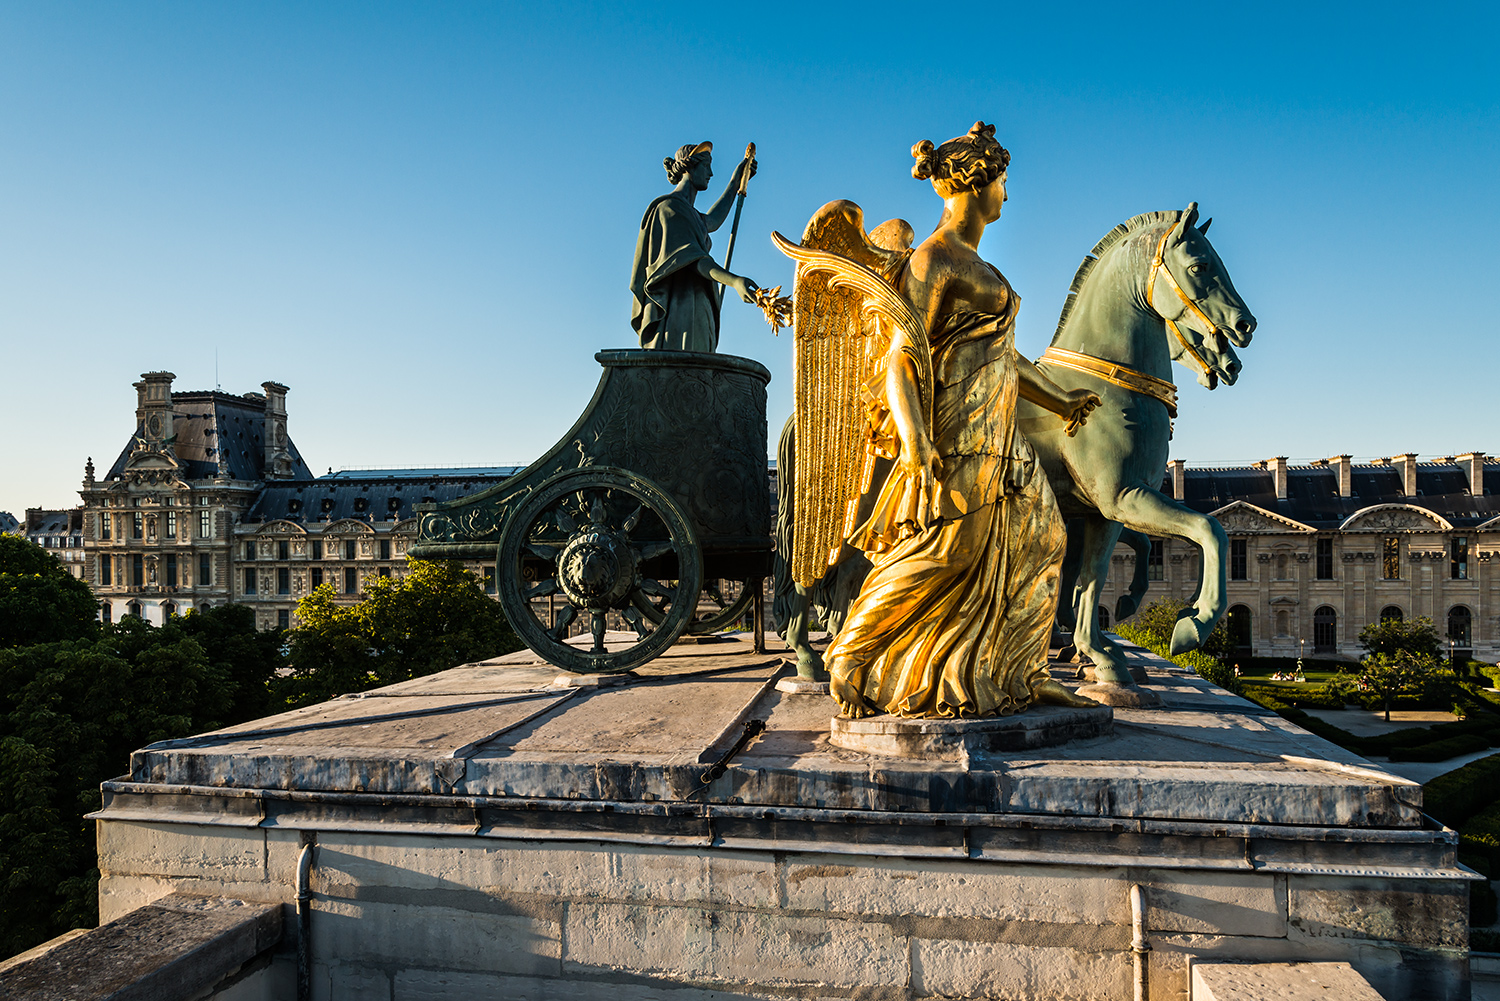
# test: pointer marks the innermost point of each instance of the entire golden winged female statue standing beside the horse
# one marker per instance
(910, 355)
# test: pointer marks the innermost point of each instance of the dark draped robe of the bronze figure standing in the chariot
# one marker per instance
(676, 308)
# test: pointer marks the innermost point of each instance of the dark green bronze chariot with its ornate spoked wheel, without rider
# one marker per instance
(655, 496)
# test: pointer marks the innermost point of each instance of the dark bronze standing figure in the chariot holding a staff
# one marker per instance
(674, 280)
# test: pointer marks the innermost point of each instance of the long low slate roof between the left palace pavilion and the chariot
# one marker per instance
(370, 494)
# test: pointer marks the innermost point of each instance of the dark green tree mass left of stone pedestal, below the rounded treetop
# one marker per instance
(73, 712)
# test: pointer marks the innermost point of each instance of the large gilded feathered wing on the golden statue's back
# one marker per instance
(847, 310)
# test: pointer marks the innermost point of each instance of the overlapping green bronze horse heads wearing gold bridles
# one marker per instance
(1192, 292)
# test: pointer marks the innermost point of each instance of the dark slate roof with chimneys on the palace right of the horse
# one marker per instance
(1313, 491)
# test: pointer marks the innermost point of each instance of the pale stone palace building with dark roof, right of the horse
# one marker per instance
(1322, 550)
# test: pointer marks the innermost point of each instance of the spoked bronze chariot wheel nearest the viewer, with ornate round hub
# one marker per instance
(599, 541)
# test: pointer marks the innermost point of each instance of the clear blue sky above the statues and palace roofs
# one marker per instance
(421, 217)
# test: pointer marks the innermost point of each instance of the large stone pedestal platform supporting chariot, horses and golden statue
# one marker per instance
(482, 834)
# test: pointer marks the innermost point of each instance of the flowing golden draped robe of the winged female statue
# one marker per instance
(956, 616)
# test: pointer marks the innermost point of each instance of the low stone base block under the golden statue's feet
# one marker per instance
(958, 739)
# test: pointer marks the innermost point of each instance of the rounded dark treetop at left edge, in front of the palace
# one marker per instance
(40, 600)
